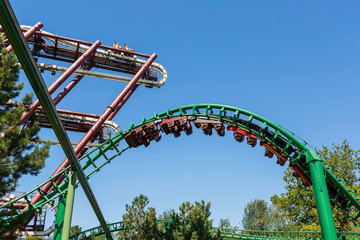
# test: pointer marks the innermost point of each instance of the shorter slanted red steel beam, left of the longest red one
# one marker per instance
(62, 79)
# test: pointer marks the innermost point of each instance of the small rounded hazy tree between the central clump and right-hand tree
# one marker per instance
(256, 216)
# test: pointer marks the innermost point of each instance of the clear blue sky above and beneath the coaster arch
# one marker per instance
(293, 62)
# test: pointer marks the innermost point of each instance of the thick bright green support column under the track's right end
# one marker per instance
(321, 195)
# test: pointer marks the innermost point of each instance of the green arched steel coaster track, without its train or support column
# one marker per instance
(344, 198)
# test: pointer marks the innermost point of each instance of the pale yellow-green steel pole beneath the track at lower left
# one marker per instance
(69, 205)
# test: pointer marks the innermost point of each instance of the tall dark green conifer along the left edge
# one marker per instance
(18, 154)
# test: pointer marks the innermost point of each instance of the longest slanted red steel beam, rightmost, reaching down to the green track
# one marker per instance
(95, 128)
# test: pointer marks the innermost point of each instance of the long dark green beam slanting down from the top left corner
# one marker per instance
(22, 51)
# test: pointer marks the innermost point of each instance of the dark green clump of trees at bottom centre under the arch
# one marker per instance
(192, 222)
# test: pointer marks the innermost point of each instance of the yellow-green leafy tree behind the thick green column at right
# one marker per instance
(298, 202)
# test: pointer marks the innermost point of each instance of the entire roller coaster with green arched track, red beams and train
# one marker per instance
(140, 69)
